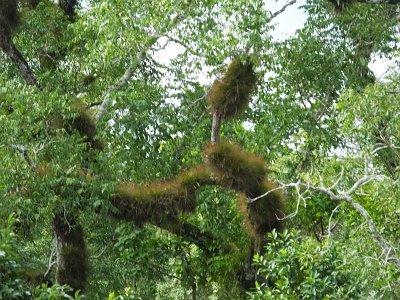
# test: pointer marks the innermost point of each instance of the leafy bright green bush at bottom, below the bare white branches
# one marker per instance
(296, 267)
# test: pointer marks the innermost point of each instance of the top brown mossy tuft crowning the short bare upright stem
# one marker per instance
(230, 95)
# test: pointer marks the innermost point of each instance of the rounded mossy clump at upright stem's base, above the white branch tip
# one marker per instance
(239, 170)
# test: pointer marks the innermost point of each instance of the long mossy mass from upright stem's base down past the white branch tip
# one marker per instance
(247, 174)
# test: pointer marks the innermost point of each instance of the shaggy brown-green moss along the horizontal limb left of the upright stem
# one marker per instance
(162, 200)
